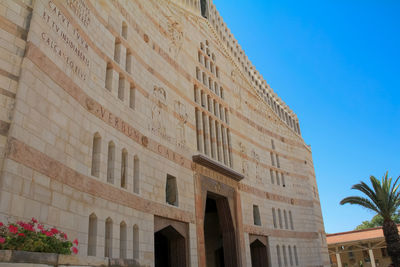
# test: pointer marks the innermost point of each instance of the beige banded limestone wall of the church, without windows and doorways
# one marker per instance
(61, 101)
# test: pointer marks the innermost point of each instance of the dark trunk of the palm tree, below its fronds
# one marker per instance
(392, 241)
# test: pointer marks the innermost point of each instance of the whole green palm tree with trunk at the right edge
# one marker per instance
(384, 199)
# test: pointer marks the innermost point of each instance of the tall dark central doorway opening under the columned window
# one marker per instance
(219, 233)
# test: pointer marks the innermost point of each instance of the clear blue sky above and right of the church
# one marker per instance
(337, 65)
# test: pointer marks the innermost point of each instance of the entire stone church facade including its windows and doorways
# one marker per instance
(142, 129)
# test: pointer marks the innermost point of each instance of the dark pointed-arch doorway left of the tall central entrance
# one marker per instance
(169, 248)
